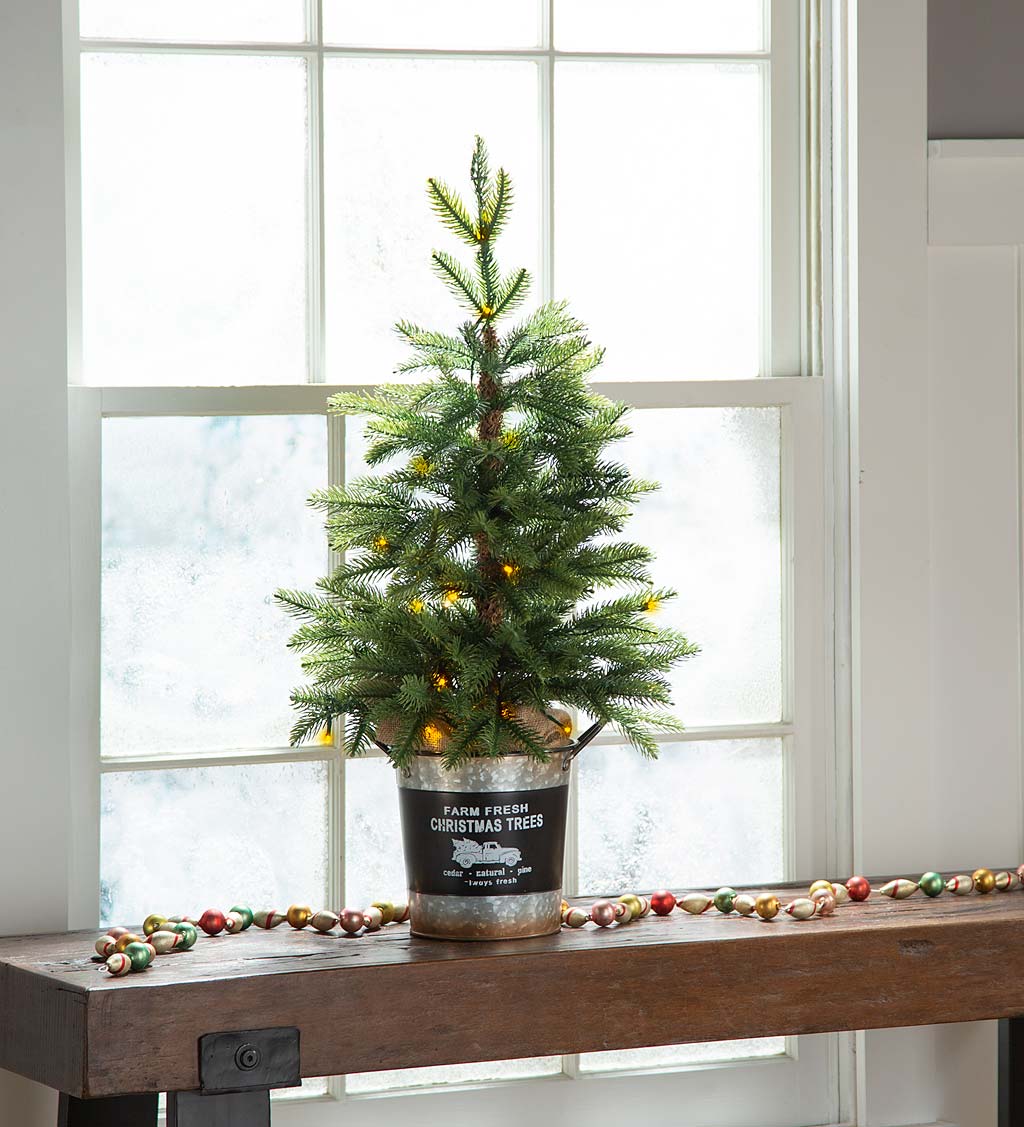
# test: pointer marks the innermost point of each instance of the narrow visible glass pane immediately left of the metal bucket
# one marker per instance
(375, 866)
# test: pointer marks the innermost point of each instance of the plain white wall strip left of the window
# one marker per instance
(33, 495)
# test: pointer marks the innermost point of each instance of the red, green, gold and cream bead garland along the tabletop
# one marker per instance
(126, 952)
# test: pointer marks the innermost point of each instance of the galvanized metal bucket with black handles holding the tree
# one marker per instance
(485, 842)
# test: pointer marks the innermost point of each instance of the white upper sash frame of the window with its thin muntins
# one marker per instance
(786, 308)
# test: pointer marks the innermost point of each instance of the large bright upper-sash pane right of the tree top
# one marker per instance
(660, 215)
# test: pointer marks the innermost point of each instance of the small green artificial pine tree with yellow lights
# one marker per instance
(468, 599)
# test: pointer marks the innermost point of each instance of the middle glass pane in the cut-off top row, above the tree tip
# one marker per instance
(455, 24)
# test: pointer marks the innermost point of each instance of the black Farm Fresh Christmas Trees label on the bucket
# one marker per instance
(493, 845)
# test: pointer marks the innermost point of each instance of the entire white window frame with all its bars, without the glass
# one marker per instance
(788, 350)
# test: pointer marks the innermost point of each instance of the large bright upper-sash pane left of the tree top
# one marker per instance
(194, 219)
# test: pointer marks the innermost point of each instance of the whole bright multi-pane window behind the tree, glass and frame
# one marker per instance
(253, 223)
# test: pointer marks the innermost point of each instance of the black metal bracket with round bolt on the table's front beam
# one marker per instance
(250, 1060)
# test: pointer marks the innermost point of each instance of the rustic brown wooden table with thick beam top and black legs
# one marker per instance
(67, 1024)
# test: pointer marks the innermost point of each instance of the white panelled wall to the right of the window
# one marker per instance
(937, 503)
